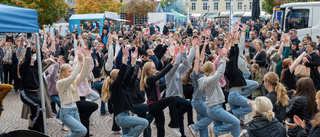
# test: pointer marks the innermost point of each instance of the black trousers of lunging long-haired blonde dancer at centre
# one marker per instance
(156, 109)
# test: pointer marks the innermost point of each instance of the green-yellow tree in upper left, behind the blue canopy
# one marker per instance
(49, 11)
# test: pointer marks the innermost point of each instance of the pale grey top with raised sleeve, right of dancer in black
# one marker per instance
(242, 61)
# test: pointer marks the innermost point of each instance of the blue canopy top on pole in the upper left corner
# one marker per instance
(18, 20)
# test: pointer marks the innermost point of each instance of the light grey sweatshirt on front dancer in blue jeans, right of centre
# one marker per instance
(211, 86)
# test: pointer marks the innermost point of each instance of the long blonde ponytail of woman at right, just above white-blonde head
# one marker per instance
(282, 96)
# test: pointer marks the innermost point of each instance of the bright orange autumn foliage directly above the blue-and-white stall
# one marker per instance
(97, 6)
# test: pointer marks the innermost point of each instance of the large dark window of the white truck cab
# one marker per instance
(298, 19)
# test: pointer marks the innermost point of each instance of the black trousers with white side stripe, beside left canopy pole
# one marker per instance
(31, 99)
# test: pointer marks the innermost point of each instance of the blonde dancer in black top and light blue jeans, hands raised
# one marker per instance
(116, 85)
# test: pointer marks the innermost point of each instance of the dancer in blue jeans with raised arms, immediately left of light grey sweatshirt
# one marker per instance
(198, 98)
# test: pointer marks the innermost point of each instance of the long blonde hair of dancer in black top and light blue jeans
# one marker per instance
(105, 92)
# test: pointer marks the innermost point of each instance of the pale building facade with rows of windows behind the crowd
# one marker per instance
(202, 6)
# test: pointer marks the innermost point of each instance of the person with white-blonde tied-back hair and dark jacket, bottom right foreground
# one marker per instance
(264, 124)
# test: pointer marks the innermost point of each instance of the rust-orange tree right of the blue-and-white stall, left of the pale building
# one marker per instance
(139, 8)
